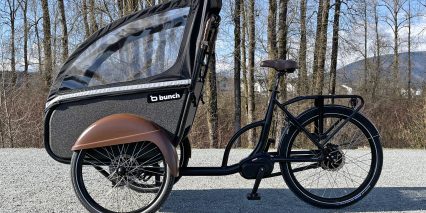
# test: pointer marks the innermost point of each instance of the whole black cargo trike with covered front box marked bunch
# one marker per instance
(122, 106)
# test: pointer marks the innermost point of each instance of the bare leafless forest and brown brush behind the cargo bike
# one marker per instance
(372, 48)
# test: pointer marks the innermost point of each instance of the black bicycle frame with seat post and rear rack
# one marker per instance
(320, 138)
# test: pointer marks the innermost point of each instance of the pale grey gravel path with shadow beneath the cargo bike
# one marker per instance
(30, 181)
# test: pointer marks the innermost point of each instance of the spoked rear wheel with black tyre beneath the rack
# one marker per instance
(350, 164)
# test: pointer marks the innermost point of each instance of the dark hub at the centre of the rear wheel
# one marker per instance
(334, 158)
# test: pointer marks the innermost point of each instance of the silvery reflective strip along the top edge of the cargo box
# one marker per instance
(118, 89)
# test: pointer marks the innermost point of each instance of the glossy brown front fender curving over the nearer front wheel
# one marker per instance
(127, 128)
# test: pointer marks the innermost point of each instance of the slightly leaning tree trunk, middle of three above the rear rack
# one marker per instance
(319, 85)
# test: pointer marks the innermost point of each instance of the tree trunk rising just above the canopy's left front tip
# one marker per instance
(47, 44)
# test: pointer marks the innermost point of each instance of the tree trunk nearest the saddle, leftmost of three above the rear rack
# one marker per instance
(303, 84)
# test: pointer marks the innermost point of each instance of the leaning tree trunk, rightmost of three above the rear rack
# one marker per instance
(335, 47)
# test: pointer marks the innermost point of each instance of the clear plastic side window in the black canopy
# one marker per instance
(138, 50)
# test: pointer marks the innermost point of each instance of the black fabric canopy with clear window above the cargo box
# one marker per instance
(158, 44)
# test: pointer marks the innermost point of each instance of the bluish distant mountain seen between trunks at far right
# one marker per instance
(353, 73)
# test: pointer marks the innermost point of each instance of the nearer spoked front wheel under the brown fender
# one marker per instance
(104, 179)
